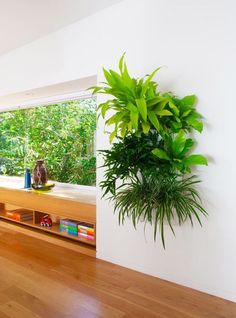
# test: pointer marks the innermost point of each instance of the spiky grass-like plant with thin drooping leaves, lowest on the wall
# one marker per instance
(159, 198)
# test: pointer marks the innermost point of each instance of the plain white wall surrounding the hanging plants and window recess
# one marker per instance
(195, 40)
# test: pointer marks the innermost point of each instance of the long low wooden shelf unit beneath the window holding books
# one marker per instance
(78, 204)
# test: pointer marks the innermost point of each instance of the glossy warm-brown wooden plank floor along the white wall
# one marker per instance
(38, 279)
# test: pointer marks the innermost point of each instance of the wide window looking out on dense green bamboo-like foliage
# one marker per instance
(62, 134)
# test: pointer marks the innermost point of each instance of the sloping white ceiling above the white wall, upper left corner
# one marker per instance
(23, 21)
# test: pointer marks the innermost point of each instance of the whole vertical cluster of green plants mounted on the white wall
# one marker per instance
(148, 168)
